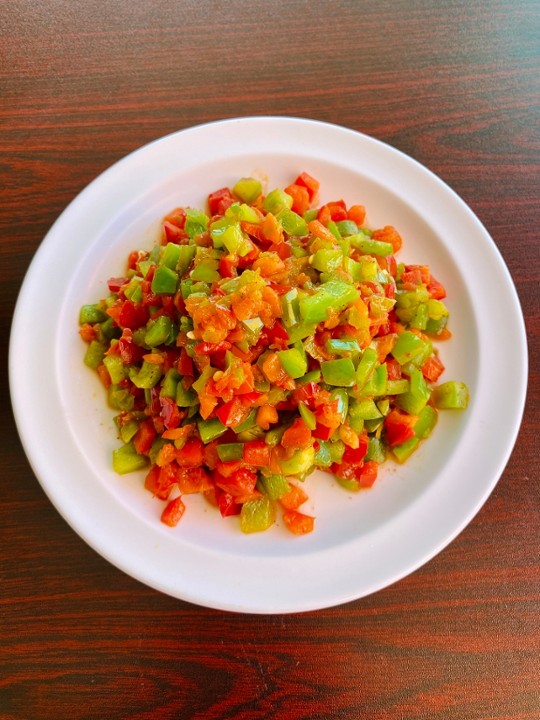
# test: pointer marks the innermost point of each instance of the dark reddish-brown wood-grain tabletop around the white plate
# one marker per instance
(454, 84)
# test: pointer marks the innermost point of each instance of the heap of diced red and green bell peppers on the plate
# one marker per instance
(262, 339)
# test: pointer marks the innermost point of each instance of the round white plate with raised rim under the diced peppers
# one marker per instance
(362, 542)
